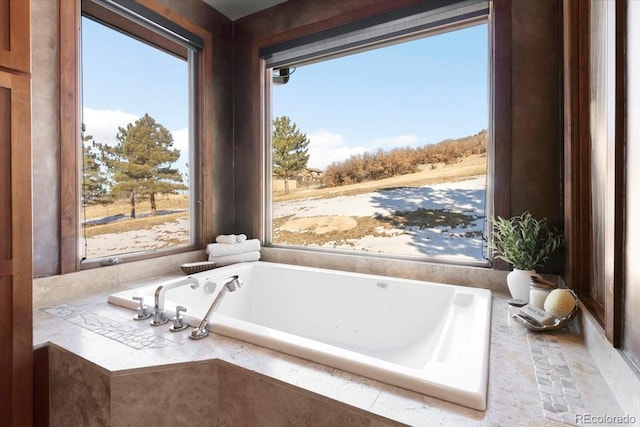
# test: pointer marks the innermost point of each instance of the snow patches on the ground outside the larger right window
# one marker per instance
(459, 243)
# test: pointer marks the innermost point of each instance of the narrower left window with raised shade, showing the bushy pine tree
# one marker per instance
(137, 136)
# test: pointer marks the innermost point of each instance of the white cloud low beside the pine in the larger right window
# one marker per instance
(326, 147)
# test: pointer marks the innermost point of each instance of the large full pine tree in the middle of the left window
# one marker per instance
(141, 162)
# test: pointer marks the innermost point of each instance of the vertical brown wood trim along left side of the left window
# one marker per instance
(69, 136)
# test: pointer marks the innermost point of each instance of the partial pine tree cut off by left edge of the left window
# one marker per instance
(95, 182)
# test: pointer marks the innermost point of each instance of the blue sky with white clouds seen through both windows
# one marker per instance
(409, 94)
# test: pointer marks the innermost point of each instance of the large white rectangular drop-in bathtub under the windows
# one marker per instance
(427, 337)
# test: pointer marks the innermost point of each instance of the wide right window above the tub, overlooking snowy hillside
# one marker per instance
(381, 147)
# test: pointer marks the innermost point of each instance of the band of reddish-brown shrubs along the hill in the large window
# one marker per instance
(400, 161)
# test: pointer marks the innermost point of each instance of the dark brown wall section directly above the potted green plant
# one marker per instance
(536, 129)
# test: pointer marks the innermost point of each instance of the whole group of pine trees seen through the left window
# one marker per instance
(138, 167)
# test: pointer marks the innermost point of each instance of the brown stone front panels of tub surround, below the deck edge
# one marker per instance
(211, 393)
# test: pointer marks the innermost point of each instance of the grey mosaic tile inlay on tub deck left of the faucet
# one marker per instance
(128, 335)
